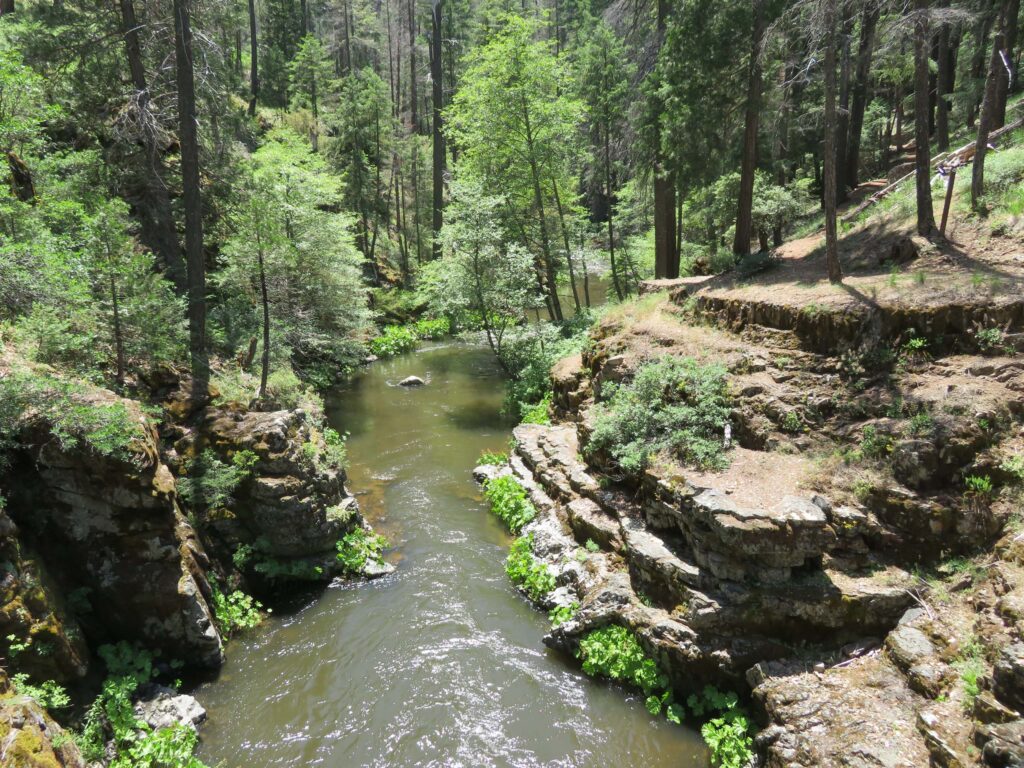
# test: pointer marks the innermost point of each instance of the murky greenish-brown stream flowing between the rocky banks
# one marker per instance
(440, 664)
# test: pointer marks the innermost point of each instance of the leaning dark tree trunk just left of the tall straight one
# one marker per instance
(158, 222)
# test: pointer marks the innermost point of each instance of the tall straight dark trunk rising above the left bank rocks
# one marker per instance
(189, 137)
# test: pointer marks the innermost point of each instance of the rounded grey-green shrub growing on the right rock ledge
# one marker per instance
(673, 405)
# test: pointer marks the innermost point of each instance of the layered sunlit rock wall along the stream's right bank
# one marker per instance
(809, 582)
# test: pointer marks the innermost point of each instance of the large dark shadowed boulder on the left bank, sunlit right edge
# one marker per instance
(110, 531)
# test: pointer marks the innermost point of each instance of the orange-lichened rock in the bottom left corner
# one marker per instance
(29, 738)
